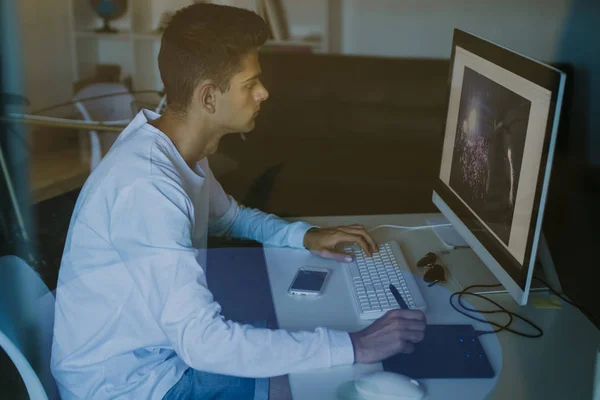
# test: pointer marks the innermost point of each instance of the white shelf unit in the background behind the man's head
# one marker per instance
(135, 47)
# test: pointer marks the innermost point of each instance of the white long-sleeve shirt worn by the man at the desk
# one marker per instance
(133, 310)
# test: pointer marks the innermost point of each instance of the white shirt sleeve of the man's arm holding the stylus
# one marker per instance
(151, 225)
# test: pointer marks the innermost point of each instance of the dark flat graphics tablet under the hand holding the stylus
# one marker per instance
(448, 351)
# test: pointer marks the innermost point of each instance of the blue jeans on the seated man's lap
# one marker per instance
(200, 385)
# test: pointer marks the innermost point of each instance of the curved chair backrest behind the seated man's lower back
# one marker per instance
(26, 323)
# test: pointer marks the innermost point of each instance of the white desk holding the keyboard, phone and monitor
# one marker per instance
(559, 365)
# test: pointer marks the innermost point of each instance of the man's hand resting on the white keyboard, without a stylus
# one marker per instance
(323, 241)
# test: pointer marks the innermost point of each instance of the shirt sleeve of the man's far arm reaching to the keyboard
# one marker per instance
(228, 218)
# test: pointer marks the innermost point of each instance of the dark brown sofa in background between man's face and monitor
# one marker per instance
(342, 135)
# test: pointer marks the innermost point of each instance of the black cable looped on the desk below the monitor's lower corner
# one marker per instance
(505, 327)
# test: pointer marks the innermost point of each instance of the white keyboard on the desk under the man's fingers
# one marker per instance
(371, 277)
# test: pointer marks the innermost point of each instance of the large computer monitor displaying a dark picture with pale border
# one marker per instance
(499, 139)
